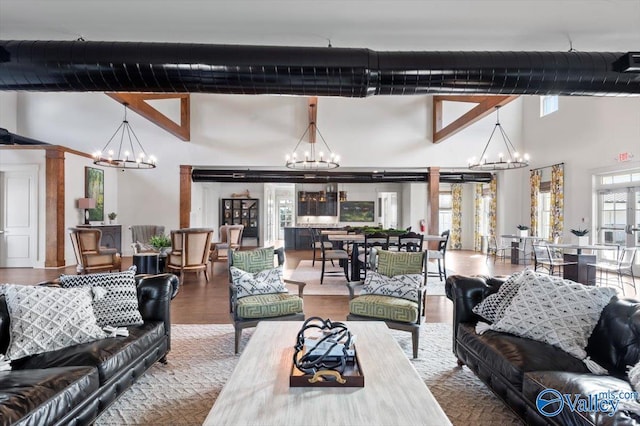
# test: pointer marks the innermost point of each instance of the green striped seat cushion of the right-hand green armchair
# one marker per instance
(384, 307)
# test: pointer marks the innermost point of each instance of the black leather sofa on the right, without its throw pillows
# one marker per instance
(517, 369)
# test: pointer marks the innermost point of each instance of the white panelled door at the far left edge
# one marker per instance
(18, 221)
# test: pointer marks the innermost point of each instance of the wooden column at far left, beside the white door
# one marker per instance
(54, 209)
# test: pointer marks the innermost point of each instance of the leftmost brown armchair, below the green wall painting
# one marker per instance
(90, 255)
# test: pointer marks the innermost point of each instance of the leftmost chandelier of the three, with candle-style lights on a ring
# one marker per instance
(124, 153)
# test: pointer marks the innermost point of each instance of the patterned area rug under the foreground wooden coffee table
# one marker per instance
(182, 392)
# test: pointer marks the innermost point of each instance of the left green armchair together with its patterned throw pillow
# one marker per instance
(257, 290)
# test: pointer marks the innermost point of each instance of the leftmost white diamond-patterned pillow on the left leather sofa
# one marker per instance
(44, 319)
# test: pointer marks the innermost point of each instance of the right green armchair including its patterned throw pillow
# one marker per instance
(393, 293)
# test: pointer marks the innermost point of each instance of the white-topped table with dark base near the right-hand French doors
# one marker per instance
(579, 267)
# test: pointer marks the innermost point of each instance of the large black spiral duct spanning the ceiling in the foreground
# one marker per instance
(83, 66)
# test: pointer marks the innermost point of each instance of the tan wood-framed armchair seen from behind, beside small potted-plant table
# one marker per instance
(190, 249)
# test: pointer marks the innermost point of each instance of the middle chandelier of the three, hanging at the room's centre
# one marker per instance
(312, 158)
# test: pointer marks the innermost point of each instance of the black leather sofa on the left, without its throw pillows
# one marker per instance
(72, 386)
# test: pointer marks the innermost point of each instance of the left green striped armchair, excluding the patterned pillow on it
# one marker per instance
(247, 310)
